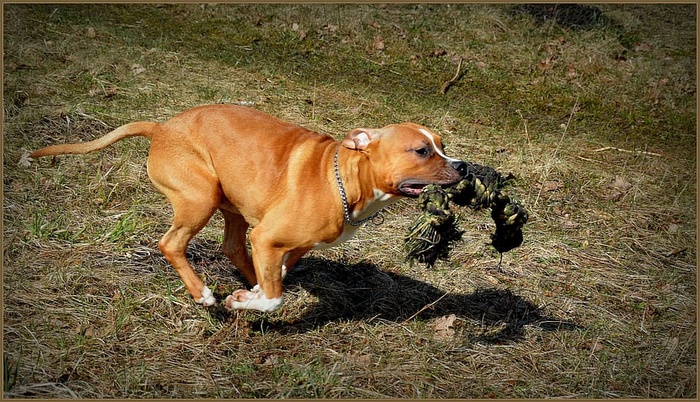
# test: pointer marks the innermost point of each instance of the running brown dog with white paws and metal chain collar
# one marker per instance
(299, 190)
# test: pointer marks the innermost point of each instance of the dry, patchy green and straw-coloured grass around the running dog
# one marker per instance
(594, 112)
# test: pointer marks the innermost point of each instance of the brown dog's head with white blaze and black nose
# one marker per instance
(405, 158)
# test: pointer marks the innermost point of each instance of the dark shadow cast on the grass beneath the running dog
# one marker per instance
(362, 292)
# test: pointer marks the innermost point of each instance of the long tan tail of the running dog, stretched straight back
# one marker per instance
(141, 128)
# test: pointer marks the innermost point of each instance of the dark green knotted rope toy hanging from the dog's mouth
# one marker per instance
(433, 234)
